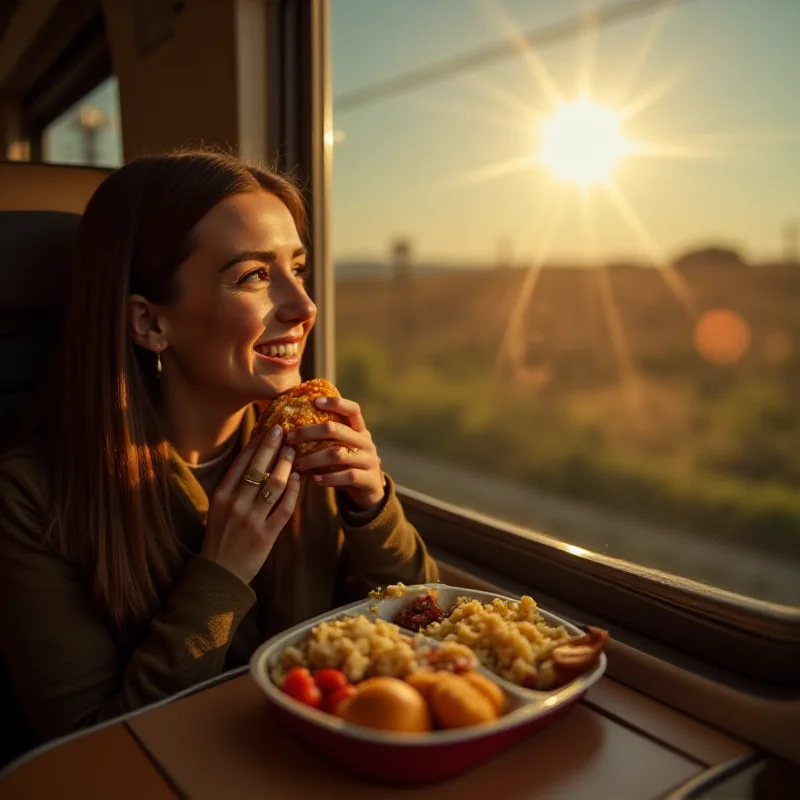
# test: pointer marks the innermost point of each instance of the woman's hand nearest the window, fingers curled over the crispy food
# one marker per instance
(354, 467)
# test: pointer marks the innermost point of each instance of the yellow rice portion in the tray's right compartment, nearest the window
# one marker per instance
(510, 638)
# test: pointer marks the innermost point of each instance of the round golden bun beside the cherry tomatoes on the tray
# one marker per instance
(387, 704)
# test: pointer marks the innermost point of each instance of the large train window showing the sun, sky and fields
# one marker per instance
(565, 240)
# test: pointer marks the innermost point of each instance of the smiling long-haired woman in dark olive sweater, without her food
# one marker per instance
(135, 559)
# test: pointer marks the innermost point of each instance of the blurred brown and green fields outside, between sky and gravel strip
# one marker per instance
(672, 397)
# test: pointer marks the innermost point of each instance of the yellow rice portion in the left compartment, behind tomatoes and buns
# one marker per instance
(362, 648)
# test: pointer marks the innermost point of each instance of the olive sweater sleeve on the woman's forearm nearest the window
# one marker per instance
(385, 548)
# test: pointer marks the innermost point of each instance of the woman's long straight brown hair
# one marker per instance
(109, 460)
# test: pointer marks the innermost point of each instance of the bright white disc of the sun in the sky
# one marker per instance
(583, 142)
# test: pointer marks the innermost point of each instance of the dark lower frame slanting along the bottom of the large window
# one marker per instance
(701, 628)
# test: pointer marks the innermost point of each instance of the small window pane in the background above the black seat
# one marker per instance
(89, 132)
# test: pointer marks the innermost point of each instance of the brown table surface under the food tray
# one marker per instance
(223, 743)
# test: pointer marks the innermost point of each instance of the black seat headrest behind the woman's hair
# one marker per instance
(35, 253)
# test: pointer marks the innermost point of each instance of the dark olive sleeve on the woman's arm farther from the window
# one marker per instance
(68, 669)
